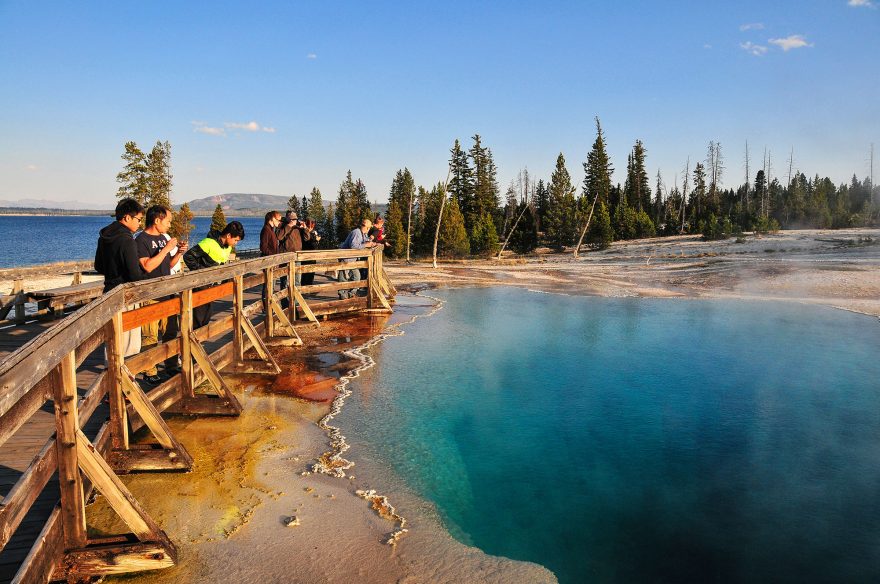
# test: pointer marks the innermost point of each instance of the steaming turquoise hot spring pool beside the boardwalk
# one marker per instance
(633, 440)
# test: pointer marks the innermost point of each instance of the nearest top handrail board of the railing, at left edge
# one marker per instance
(33, 361)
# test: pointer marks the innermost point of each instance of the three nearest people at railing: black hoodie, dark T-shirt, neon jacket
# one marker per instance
(122, 258)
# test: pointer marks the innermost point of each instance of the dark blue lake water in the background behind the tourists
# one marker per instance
(46, 238)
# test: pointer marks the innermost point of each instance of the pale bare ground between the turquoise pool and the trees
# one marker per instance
(835, 268)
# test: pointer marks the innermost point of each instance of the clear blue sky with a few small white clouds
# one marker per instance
(280, 97)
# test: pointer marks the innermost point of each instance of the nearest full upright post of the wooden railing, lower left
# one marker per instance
(73, 511)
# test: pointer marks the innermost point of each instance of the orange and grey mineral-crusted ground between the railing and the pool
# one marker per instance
(254, 495)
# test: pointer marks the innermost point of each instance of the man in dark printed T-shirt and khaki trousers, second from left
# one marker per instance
(154, 248)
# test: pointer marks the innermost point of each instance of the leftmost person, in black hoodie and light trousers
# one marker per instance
(116, 259)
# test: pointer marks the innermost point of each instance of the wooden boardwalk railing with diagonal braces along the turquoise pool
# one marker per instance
(45, 369)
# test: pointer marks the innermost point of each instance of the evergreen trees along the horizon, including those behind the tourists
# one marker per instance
(467, 215)
